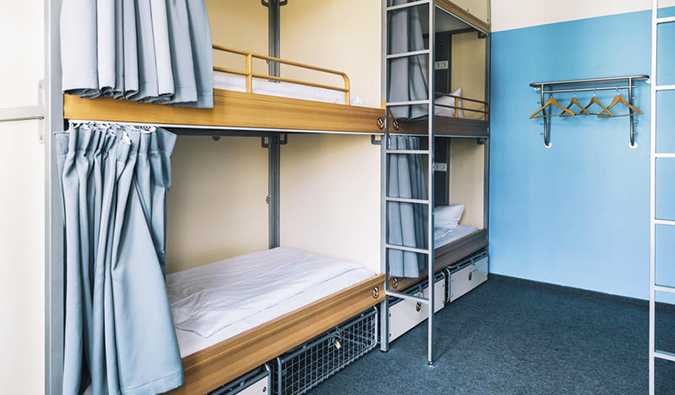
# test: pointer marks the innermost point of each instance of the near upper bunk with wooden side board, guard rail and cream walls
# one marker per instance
(308, 95)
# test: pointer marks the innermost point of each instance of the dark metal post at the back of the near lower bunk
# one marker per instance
(274, 173)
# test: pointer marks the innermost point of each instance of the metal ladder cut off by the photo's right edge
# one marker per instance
(654, 221)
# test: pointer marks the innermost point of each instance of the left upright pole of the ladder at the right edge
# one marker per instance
(652, 204)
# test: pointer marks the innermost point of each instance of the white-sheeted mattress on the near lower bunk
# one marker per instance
(215, 302)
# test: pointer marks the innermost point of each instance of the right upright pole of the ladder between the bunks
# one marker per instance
(430, 181)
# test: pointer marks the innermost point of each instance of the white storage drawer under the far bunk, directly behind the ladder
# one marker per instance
(406, 314)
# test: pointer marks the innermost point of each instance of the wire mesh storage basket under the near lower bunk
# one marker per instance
(309, 364)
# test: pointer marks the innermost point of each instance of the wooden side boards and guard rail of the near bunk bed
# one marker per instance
(214, 366)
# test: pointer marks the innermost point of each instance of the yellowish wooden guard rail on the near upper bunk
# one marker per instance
(249, 74)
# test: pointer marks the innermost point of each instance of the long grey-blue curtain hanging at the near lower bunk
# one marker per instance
(119, 333)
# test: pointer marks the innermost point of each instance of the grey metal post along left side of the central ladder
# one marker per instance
(384, 306)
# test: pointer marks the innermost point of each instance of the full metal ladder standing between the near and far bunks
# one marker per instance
(429, 202)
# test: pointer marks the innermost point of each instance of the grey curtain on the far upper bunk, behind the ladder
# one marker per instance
(407, 76)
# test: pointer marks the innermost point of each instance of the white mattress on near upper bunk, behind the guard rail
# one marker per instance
(237, 83)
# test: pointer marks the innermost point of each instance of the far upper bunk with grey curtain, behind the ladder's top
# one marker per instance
(461, 55)
